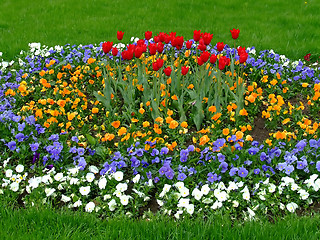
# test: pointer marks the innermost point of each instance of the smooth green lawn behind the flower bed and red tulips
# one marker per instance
(288, 27)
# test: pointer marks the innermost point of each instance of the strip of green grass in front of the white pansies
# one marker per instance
(46, 223)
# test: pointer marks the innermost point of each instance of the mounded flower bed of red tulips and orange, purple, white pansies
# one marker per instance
(162, 124)
